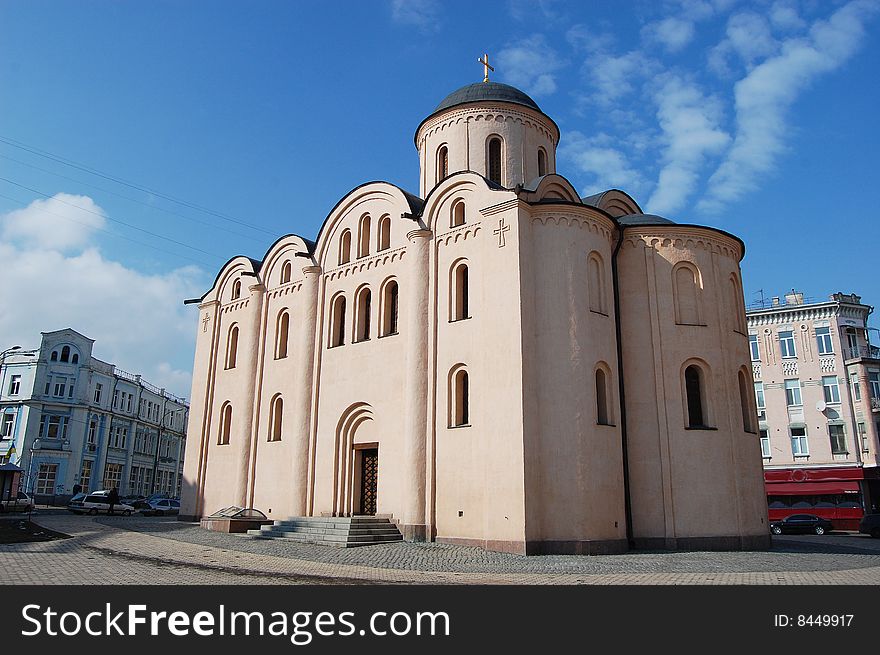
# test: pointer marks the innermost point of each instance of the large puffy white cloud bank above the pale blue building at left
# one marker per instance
(137, 319)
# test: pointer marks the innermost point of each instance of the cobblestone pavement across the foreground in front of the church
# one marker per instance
(121, 550)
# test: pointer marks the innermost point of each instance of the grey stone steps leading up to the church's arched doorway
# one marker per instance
(338, 531)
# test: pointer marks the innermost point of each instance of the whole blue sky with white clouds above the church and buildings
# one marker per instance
(233, 123)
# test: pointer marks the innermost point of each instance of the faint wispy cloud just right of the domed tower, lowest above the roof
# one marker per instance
(605, 165)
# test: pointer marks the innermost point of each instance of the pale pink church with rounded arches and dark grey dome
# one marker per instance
(494, 362)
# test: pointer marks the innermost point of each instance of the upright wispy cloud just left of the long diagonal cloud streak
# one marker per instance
(691, 133)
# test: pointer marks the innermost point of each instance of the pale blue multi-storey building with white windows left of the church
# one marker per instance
(68, 418)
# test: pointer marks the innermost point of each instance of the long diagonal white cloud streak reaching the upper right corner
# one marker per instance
(763, 97)
